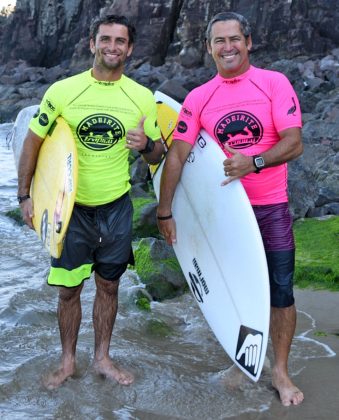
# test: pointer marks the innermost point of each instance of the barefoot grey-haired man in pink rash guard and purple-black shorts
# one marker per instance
(254, 115)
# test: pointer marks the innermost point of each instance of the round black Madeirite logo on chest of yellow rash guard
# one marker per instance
(100, 132)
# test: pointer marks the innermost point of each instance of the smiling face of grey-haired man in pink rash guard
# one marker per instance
(229, 48)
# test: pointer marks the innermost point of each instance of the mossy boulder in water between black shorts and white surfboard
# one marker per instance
(159, 270)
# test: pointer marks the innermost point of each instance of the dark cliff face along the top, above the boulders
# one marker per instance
(56, 31)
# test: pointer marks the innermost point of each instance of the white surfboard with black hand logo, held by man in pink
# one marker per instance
(219, 248)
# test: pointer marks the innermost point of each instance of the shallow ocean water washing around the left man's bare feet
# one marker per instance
(179, 375)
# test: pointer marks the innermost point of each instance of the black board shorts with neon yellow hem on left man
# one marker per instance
(98, 239)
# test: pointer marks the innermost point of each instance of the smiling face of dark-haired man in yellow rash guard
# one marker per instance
(111, 49)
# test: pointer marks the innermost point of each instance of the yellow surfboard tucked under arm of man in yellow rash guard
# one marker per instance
(54, 184)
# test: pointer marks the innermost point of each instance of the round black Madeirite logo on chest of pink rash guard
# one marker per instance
(239, 129)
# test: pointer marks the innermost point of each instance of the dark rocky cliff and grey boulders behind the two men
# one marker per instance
(41, 42)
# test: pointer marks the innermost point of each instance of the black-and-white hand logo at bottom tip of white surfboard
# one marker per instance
(249, 349)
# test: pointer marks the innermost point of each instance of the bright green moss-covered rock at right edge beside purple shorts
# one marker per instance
(317, 253)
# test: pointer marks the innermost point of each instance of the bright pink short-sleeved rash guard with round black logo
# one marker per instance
(246, 112)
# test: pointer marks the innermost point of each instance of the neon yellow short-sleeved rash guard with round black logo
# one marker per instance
(99, 114)
